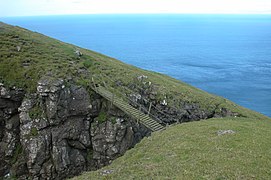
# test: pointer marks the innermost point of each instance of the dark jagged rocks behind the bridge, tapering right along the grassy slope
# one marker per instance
(144, 93)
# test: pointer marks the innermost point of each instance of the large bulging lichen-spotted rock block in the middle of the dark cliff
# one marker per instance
(54, 130)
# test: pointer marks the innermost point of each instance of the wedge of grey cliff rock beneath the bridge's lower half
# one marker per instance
(111, 140)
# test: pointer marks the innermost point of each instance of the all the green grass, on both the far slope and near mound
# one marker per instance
(187, 151)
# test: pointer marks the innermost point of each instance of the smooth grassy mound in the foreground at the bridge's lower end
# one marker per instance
(195, 151)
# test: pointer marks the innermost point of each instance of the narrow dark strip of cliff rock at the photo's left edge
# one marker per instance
(10, 100)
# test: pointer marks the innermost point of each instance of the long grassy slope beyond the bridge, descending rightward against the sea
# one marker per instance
(50, 56)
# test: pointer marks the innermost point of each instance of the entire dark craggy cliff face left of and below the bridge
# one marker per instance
(60, 131)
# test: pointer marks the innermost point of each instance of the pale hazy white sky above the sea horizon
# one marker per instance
(52, 7)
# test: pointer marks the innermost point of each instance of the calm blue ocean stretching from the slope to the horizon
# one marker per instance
(226, 55)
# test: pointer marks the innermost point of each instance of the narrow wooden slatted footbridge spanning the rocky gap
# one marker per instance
(136, 114)
